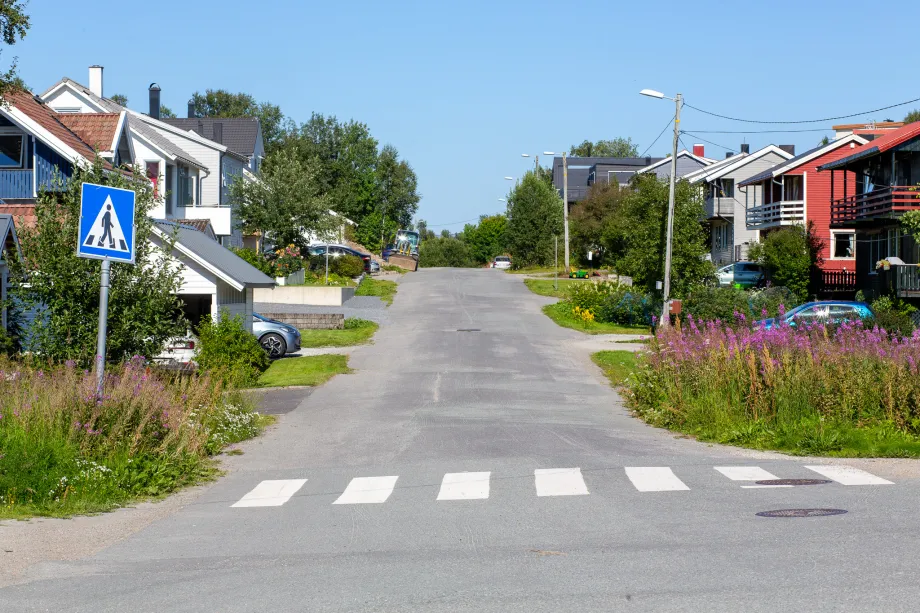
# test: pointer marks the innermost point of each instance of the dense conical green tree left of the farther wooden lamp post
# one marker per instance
(534, 218)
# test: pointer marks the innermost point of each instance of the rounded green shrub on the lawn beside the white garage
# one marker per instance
(226, 349)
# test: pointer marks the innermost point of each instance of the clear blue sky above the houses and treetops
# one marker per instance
(463, 88)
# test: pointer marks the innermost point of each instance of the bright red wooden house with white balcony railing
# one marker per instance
(794, 192)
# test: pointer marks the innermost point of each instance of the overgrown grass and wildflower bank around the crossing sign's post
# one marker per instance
(63, 452)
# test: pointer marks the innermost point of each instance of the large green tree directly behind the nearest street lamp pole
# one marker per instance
(634, 239)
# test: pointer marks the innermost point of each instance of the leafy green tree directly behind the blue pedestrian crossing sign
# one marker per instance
(144, 310)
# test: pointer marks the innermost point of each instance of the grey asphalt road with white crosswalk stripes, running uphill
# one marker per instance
(493, 470)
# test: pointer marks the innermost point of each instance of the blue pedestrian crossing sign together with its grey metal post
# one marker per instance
(106, 233)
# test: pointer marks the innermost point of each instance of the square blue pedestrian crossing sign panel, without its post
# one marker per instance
(106, 223)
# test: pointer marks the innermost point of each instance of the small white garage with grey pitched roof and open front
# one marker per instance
(214, 280)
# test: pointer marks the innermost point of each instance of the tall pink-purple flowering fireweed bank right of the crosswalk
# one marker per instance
(813, 390)
